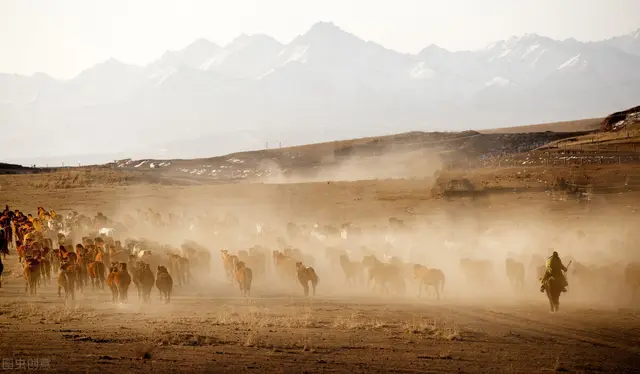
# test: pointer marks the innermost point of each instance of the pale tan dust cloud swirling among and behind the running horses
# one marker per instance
(442, 235)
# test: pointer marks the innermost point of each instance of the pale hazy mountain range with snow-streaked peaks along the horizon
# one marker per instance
(326, 84)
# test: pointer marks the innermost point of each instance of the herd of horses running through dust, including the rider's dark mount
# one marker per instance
(84, 250)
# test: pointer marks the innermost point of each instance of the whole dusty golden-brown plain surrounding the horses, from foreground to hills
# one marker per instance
(474, 327)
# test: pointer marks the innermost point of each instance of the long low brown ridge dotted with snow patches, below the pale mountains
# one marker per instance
(269, 163)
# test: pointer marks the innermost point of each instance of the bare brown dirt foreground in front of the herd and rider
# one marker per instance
(217, 332)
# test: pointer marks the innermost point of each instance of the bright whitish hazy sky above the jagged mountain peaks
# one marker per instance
(63, 37)
